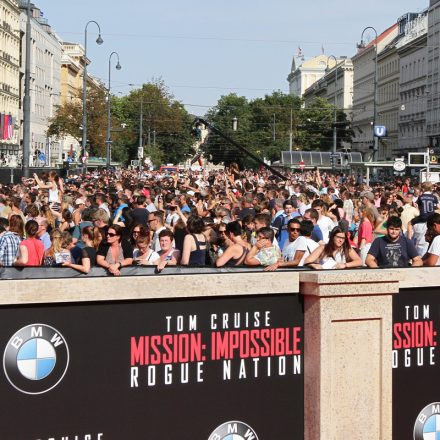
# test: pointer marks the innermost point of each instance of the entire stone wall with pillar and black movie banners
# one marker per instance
(217, 354)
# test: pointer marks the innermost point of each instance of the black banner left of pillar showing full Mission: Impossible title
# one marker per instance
(203, 369)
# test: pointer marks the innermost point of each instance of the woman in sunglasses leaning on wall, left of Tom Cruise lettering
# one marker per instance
(115, 253)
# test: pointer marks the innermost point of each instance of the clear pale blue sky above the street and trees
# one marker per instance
(205, 49)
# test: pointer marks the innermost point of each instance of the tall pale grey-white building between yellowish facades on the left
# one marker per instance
(45, 84)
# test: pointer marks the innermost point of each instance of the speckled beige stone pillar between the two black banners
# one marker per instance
(348, 335)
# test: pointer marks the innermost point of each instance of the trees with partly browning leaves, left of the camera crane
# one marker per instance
(166, 125)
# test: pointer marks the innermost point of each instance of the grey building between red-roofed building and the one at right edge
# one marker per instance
(412, 51)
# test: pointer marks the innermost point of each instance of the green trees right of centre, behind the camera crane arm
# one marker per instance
(266, 126)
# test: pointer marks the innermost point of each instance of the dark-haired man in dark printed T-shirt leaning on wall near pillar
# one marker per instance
(393, 250)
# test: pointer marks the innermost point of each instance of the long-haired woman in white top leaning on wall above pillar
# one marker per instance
(336, 254)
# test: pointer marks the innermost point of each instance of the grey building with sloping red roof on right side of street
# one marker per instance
(363, 91)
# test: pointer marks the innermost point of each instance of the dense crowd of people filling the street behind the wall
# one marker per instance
(114, 219)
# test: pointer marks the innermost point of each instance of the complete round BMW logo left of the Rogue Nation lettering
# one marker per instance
(36, 359)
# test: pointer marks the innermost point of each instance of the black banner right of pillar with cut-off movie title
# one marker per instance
(416, 364)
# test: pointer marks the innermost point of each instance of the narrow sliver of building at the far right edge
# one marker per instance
(432, 75)
